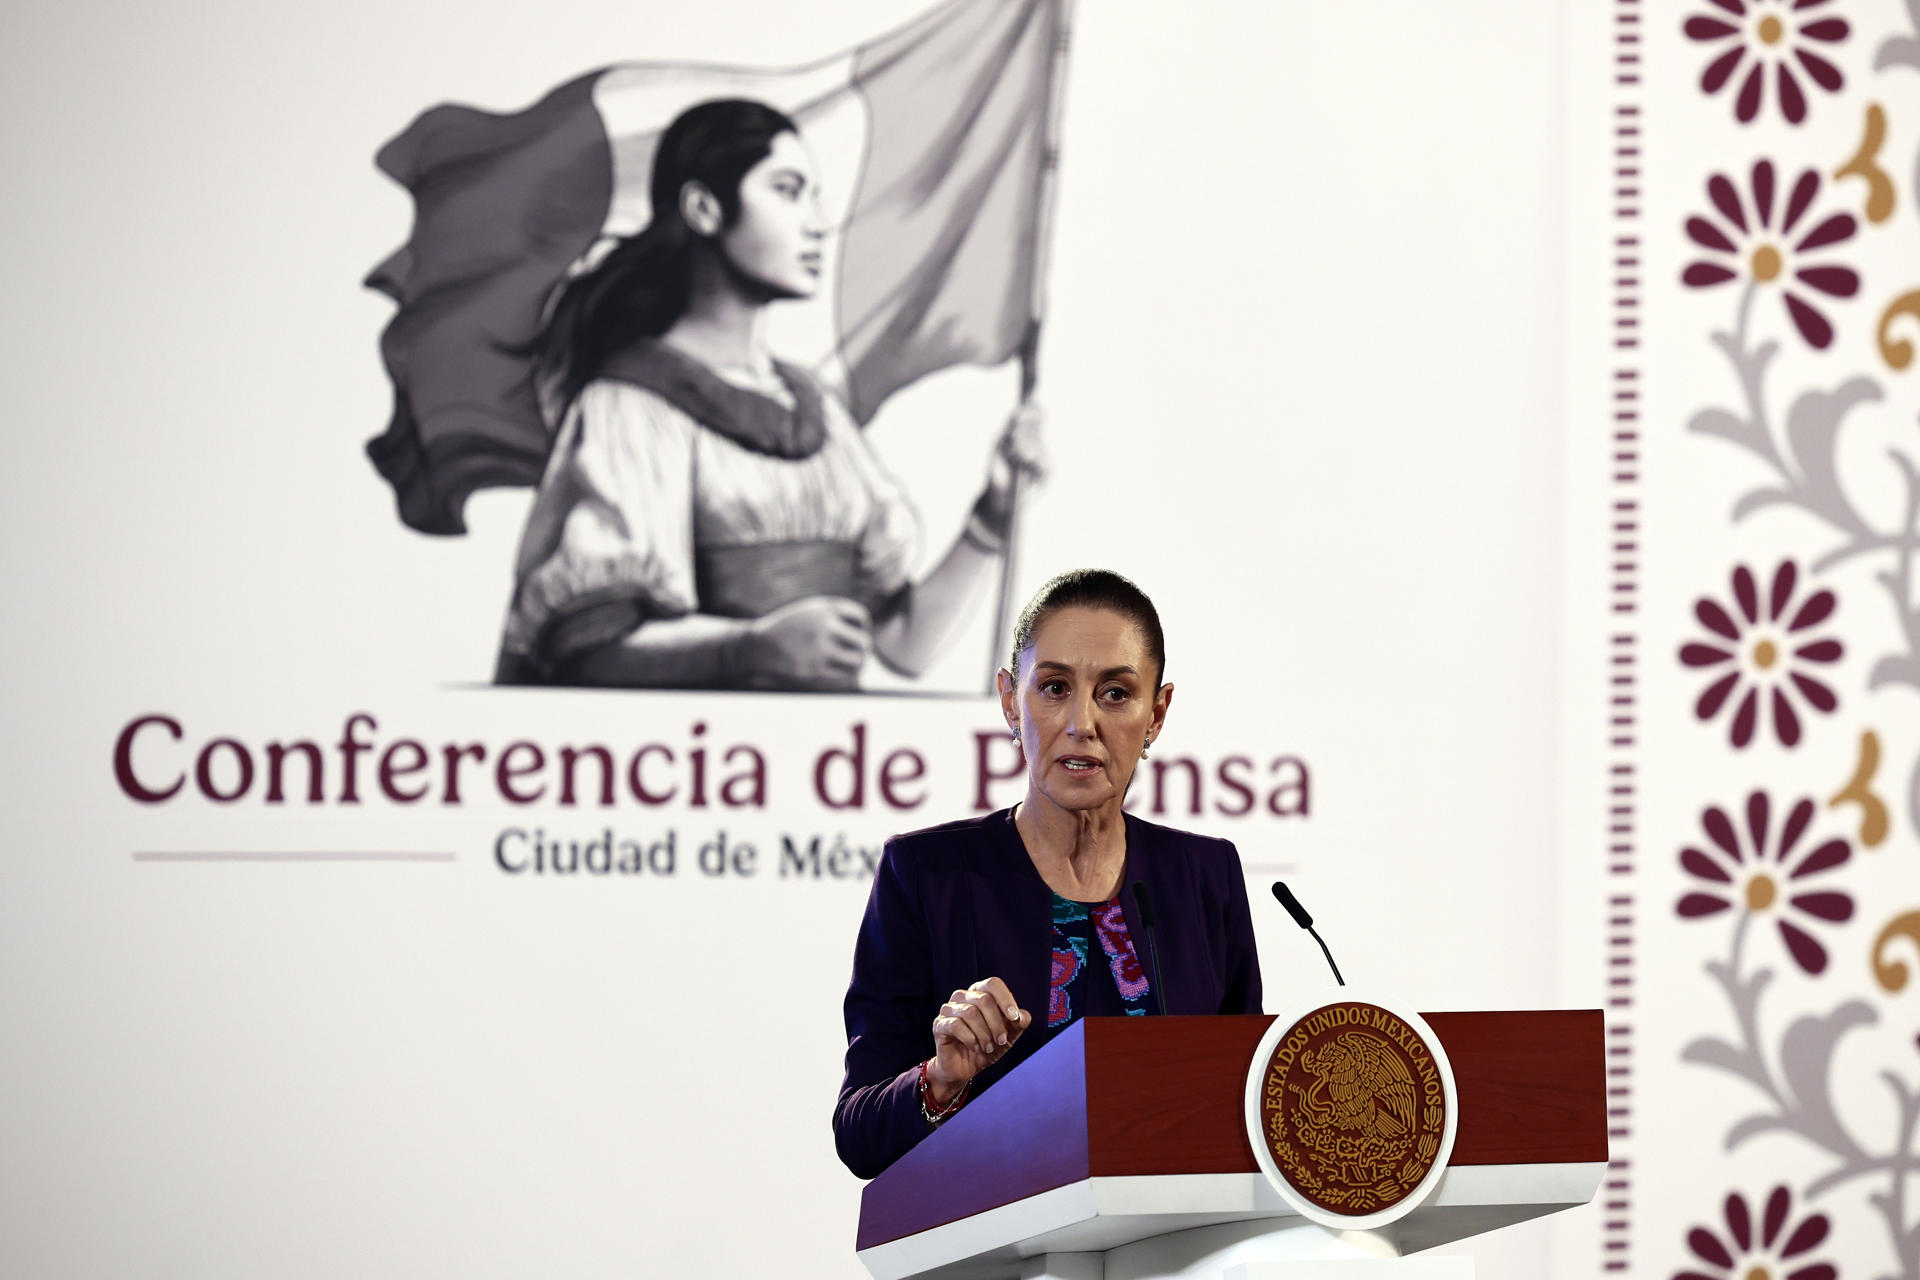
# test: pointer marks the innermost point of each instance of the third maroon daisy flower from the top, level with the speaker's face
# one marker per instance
(1764, 652)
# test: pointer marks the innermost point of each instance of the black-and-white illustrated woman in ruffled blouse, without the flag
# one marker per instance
(711, 515)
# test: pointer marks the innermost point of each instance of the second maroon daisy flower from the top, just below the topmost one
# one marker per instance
(1746, 243)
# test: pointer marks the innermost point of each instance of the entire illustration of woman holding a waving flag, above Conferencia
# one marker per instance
(671, 300)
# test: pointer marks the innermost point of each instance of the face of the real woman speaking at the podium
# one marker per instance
(1086, 707)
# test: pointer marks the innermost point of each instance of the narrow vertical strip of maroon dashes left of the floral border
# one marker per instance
(1623, 636)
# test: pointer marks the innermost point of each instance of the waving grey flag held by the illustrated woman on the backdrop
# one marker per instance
(936, 153)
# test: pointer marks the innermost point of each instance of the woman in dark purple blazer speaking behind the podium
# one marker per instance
(988, 937)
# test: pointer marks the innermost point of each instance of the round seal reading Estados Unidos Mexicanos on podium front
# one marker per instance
(1351, 1110)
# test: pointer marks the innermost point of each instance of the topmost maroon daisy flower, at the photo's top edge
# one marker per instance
(1767, 36)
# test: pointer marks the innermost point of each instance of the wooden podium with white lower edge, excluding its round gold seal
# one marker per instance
(1120, 1152)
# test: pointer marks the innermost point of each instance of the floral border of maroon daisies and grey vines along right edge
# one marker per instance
(1812, 231)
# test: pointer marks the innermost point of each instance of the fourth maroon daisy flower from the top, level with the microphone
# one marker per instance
(1762, 878)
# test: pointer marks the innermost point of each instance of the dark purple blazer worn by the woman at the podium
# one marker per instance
(961, 903)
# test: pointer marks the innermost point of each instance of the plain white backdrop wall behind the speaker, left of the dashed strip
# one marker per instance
(1305, 383)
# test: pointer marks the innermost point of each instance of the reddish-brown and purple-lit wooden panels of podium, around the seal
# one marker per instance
(1163, 1099)
